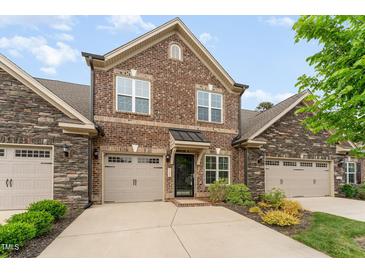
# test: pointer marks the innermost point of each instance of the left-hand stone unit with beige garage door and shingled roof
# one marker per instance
(44, 136)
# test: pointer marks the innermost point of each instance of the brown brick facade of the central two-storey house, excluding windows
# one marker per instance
(173, 102)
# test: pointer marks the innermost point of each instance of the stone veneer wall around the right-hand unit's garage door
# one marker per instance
(289, 138)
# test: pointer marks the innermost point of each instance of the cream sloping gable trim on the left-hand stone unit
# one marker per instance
(42, 90)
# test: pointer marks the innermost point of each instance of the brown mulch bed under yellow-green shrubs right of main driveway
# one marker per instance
(305, 221)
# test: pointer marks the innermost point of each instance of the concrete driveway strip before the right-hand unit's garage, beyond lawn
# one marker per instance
(352, 209)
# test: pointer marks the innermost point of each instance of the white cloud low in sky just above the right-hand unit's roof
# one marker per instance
(258, 96)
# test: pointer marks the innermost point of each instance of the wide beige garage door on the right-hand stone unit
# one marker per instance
(298, 178)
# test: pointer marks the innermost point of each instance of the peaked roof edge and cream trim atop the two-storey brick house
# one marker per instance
(156, 35)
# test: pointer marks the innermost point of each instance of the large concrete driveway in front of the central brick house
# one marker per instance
(160, 229)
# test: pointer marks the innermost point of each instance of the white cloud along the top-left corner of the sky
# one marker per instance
(59, 22)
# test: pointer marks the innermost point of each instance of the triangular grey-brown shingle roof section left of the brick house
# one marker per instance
(76, 95)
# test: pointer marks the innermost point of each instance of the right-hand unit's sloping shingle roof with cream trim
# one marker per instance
(253, 123)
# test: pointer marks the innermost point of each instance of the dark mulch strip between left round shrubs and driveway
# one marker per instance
(35, 246)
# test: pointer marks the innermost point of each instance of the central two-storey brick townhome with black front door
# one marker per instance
(168, 113)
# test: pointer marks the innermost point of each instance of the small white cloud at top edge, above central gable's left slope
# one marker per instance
(134, 23)
